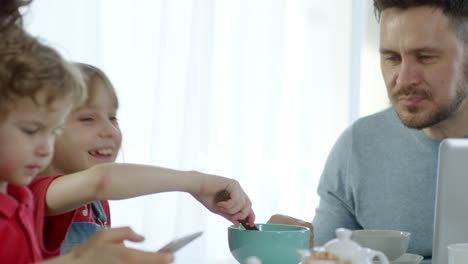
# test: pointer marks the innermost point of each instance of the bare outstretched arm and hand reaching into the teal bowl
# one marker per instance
(113, 181)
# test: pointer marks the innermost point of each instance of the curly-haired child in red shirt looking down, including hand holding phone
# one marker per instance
(37, 91)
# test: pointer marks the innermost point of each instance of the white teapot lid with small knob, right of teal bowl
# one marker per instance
(342, 246)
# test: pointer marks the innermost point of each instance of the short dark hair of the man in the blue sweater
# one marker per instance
(455, 10)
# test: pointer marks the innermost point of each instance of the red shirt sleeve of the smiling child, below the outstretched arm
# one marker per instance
(50, 230)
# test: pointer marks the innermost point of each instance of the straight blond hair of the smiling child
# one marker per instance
(91, 75)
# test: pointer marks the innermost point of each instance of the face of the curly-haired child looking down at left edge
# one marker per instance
(27, 135)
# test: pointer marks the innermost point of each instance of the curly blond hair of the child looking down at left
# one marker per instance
(28, 67)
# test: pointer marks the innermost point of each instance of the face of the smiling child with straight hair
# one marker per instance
(91, 135)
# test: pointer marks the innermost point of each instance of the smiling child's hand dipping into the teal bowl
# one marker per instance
(238, 206)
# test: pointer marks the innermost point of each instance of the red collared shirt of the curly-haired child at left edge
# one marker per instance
(19, 242)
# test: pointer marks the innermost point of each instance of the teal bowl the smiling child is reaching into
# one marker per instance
(273, 244)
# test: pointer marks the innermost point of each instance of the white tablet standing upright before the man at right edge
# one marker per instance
(451, 206)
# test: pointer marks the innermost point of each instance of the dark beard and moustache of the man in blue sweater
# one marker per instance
(410, 116)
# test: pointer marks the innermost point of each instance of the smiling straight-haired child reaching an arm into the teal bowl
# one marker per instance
(85, 152)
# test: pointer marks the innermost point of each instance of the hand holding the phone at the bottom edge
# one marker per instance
(107, 246)
